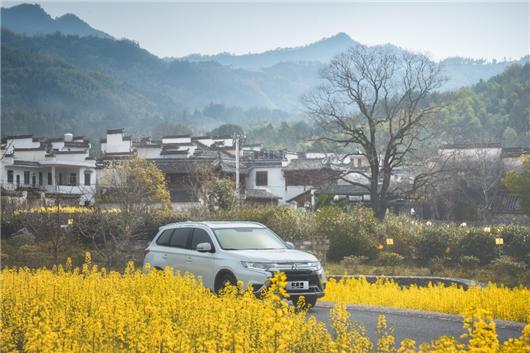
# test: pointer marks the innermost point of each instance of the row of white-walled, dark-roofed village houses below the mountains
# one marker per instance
(62, 168)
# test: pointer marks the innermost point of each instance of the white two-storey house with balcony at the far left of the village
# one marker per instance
(54, 168)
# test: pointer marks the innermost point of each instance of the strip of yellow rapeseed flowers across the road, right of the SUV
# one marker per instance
(504, 303)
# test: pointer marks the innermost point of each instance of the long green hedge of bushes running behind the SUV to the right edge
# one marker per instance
(355, 232)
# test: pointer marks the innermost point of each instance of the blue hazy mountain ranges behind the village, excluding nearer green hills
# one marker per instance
(90, 81)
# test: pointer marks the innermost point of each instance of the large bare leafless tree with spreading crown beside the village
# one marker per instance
(377, 100)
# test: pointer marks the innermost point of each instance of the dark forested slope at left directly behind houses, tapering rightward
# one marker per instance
(43, 94)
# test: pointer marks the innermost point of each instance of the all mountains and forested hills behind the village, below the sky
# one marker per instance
(88, 82)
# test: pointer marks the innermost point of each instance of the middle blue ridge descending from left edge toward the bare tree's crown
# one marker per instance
(177, 83)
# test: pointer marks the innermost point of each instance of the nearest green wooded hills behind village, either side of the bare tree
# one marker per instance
(496, 110)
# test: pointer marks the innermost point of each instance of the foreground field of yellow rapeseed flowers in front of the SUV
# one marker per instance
(91, 310)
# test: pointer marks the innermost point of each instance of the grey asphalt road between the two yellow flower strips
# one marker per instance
(420, 326)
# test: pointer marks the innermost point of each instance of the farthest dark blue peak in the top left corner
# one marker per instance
(31, 19)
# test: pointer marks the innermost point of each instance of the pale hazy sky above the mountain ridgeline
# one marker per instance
(441, 29)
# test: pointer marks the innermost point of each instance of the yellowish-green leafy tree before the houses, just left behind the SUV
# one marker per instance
(137, 188)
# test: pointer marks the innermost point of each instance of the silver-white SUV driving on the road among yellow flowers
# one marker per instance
(221, 252)
